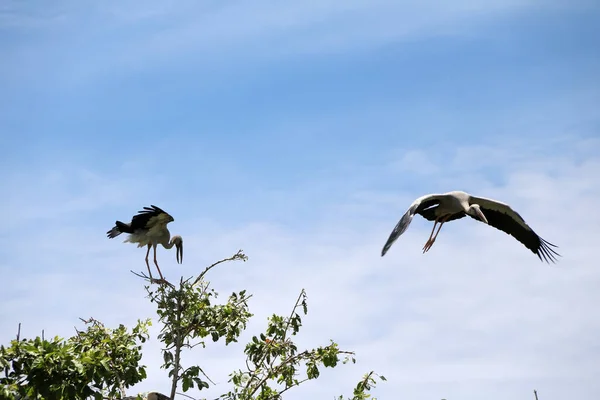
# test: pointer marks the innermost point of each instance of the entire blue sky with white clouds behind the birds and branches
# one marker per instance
(301, 133)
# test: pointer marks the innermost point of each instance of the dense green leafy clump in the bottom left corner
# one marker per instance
(96, 362)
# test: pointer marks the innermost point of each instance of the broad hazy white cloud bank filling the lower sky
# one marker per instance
(477, 315)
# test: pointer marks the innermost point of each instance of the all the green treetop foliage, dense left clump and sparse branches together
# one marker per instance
(102, 363)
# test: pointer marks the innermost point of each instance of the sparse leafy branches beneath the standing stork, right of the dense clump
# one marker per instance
(274, 363)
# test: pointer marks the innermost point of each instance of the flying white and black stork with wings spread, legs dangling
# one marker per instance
(446, 207)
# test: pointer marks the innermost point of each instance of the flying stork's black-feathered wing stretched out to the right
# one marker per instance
(501, 216)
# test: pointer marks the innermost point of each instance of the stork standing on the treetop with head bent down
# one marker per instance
(149, 228)
